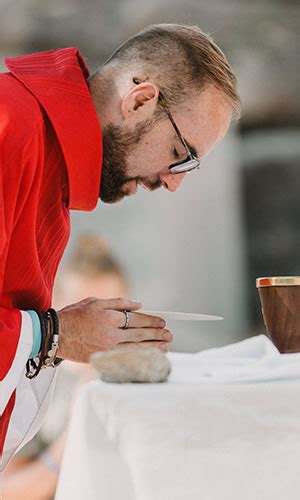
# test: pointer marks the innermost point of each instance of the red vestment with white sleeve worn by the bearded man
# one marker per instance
(50, 162)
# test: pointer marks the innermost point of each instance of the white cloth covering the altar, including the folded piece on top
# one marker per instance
(226, 427)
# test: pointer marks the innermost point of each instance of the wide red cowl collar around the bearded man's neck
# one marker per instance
(57, 78)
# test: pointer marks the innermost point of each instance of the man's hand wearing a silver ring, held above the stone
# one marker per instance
(96, 325)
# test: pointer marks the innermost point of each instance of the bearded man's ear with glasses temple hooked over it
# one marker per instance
(140, 102)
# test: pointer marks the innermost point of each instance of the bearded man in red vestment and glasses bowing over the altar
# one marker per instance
(146, 118)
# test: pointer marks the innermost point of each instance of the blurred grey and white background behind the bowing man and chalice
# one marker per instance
(201, 249)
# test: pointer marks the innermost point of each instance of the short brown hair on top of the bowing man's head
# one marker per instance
(179, 58)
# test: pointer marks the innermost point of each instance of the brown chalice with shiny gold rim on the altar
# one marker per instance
(280, 301)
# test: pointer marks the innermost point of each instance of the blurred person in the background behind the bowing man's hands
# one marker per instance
(92, 270)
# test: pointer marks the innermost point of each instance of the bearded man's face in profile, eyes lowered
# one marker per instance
(140, 155)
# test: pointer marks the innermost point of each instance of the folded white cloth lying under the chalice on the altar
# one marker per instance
(252, 360)
